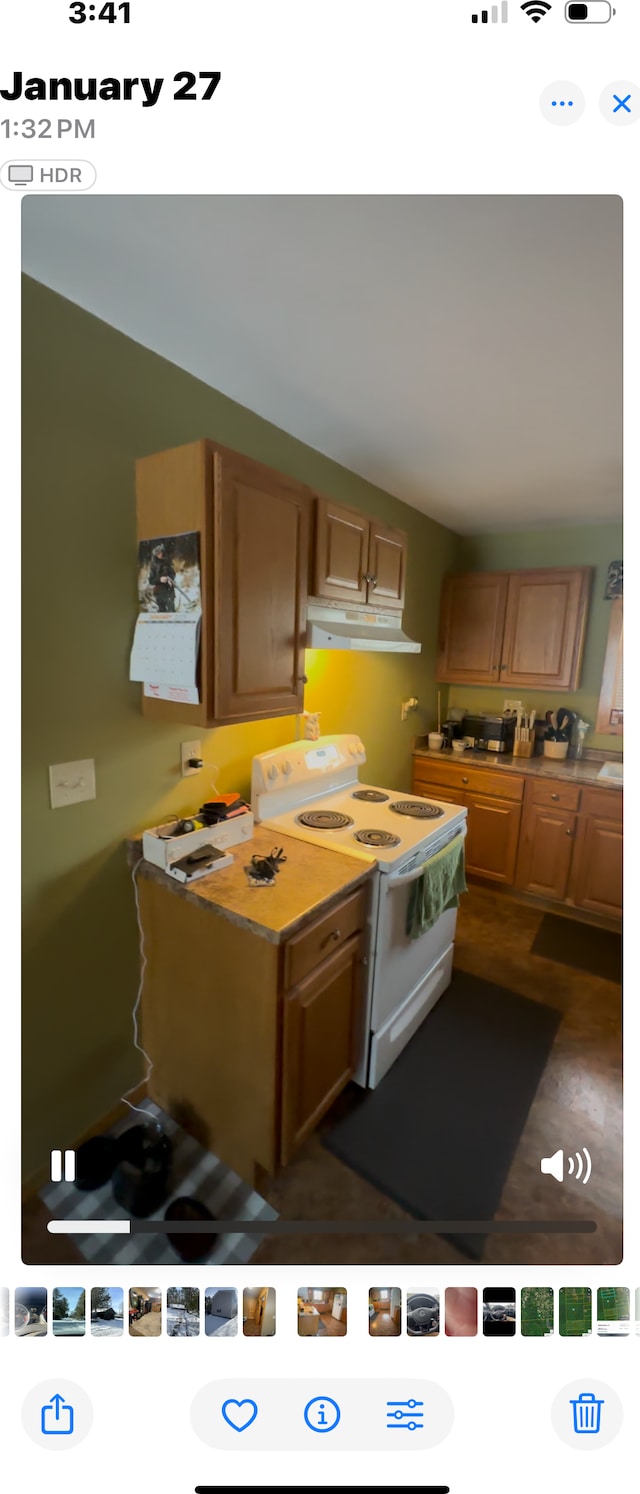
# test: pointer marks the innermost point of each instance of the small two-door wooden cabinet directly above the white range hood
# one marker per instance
(358, 560)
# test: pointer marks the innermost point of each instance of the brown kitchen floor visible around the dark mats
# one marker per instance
(579, 1103)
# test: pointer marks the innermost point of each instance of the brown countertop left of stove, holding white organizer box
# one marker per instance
(310, 879)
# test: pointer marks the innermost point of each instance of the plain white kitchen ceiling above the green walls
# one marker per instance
(463, 353)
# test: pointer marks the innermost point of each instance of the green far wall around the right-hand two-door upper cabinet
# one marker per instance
(587, 545)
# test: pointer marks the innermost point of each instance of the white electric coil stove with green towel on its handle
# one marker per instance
(313, 793)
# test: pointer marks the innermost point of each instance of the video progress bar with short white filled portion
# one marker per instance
(322, 1227)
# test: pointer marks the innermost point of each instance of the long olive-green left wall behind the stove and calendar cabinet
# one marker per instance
(93, 403)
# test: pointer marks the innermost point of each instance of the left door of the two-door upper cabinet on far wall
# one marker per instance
(472, 625)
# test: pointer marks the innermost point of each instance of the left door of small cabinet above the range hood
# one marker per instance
(342, 552)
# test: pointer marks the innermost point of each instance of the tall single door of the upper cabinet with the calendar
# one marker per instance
(261, 568)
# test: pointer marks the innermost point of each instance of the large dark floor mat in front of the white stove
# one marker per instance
(440, 1132)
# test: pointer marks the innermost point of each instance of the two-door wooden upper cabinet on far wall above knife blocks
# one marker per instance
(521, 628)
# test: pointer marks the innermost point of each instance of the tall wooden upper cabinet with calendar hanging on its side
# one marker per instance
(255, 542)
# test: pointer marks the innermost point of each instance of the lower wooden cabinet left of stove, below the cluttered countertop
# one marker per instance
(252, 1041)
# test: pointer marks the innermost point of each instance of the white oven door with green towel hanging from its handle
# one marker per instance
(403, 963)
